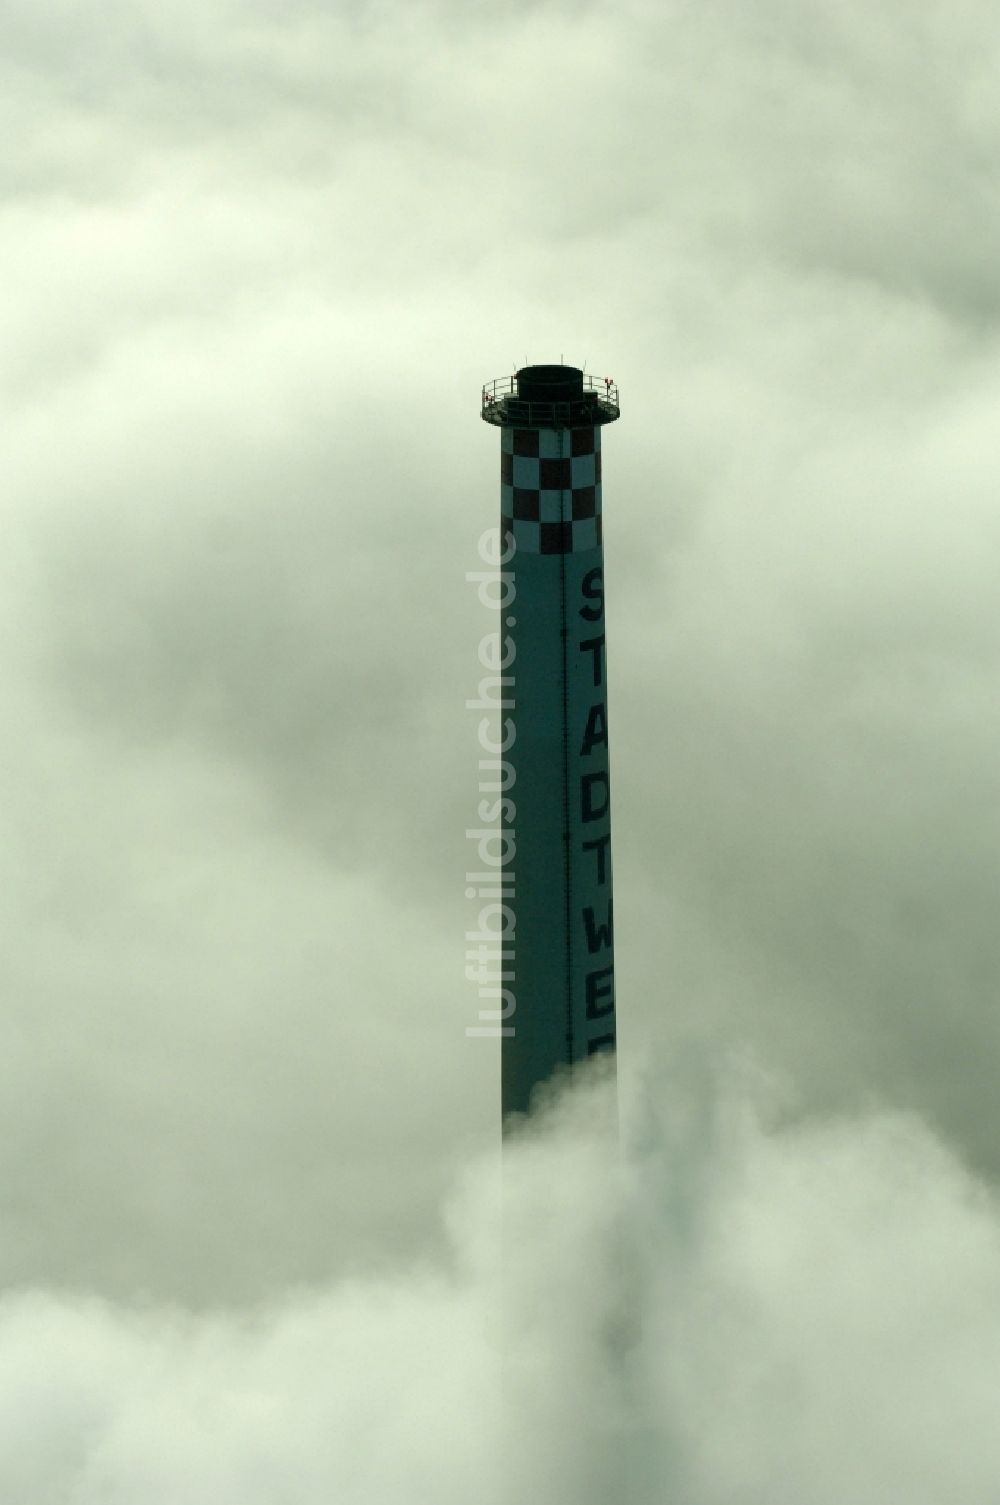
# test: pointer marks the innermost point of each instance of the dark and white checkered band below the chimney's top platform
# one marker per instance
(550, 490)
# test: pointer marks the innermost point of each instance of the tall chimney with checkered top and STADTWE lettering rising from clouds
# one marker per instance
(553, 726)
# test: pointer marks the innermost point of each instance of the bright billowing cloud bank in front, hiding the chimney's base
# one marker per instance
(733, 1310)
